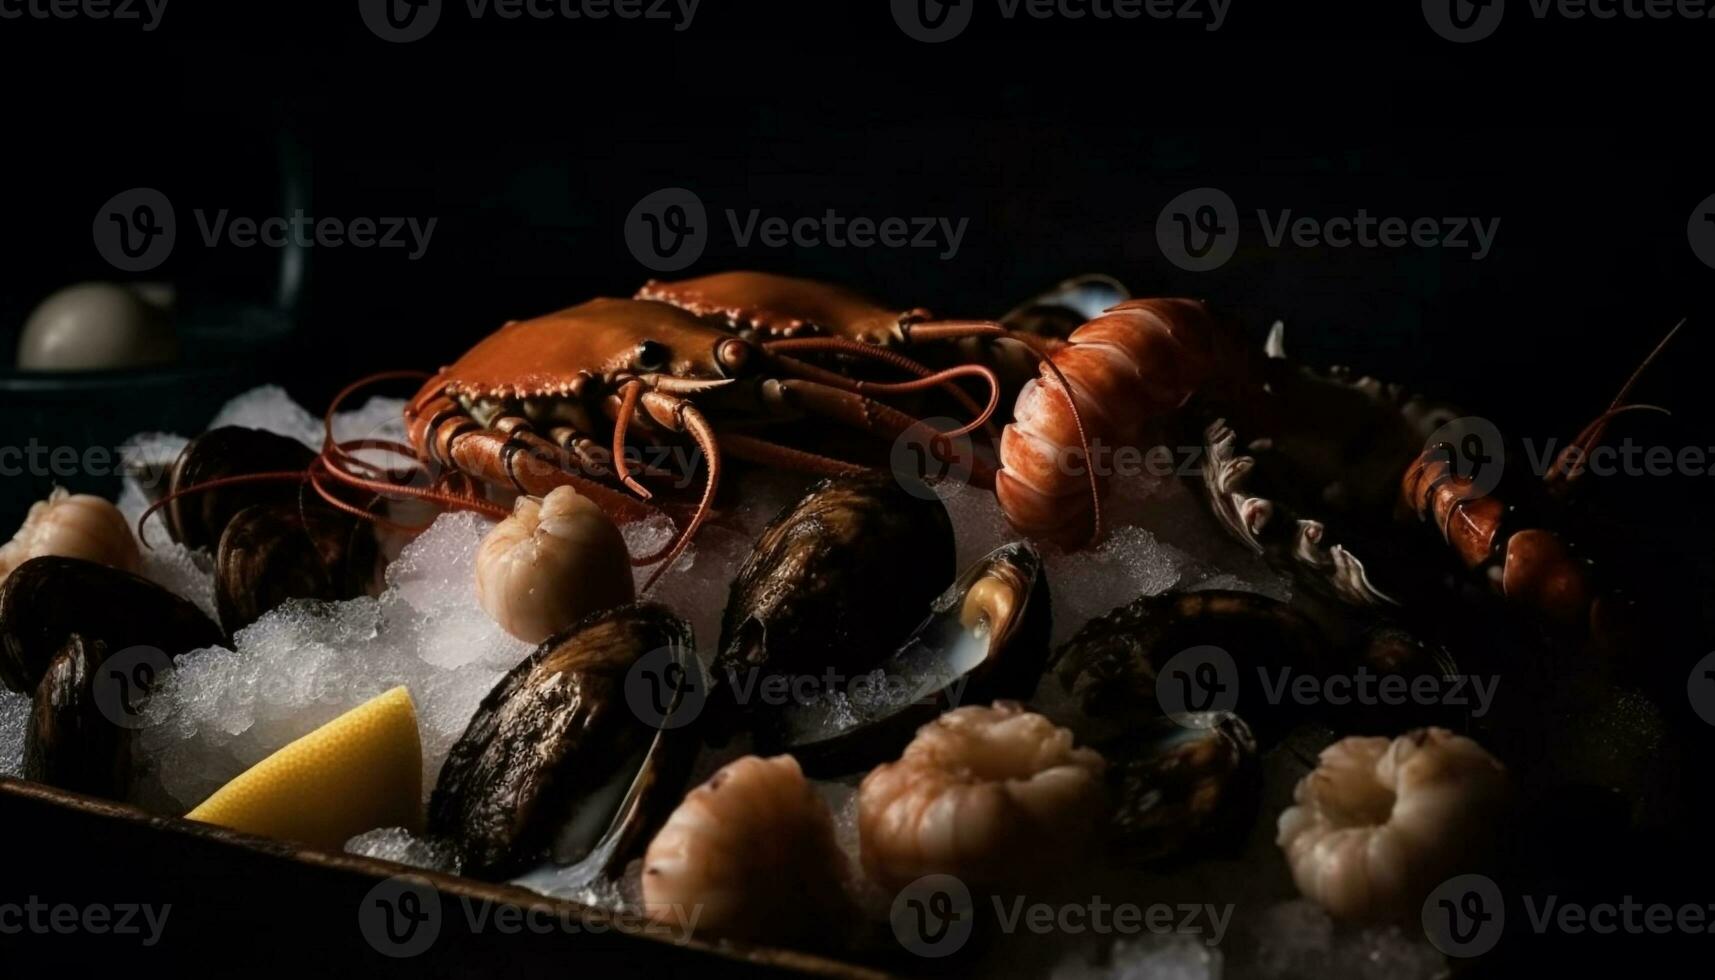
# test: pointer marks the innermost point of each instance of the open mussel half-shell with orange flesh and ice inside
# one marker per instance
(985, 639)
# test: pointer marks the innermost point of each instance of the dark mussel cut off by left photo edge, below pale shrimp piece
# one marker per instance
(49, 600)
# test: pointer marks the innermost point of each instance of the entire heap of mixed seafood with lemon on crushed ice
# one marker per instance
(694, 644)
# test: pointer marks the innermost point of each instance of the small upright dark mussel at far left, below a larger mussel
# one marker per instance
(69, 742)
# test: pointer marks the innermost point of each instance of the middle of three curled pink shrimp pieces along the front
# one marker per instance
(992, 795)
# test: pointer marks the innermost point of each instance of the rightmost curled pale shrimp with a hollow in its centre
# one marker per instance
(1381, 823)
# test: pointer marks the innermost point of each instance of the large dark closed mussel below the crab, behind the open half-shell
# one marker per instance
(834, 583)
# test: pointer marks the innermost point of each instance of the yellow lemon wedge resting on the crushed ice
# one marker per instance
(358, 773)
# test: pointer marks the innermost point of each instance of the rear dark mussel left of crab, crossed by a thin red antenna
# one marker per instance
(200, 519)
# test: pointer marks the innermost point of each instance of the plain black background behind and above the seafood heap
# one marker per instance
(1061, 143)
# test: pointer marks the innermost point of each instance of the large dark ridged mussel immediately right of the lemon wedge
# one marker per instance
(557, 765)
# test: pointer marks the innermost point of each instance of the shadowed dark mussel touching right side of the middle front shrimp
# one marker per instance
(1182, 782)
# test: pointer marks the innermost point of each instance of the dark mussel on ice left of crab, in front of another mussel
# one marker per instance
(272, 554)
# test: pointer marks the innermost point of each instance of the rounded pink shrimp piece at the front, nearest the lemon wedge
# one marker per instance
(754, 850)
